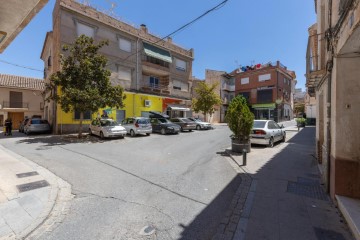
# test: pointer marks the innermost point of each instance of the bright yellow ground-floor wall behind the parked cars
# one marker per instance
(134, 106)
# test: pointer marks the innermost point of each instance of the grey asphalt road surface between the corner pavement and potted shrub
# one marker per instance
(156, 187)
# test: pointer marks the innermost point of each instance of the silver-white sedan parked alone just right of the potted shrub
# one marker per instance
(267, 132)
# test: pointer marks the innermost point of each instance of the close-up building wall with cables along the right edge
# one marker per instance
(333, 60)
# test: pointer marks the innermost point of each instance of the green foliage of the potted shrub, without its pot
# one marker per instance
(240, 118)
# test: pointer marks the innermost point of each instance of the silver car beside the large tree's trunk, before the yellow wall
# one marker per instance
(106, 128)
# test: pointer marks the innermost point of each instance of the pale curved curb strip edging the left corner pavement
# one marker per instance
(57, 206)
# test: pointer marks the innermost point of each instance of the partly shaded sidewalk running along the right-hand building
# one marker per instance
(281, 197)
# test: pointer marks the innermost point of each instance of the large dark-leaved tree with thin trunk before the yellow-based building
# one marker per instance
(83, 82)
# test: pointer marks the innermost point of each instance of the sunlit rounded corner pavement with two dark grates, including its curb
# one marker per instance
(32, 199)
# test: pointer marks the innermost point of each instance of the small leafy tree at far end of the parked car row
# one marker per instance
(207, 98)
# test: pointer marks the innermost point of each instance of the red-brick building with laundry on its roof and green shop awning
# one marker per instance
(268, 89)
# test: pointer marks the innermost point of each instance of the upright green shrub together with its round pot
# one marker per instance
(240, 120)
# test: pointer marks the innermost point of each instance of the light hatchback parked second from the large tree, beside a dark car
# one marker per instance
(137, 125)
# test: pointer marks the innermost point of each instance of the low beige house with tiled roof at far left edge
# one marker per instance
(20, 97)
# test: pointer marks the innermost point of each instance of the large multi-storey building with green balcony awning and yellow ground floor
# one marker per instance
(155, 73)
